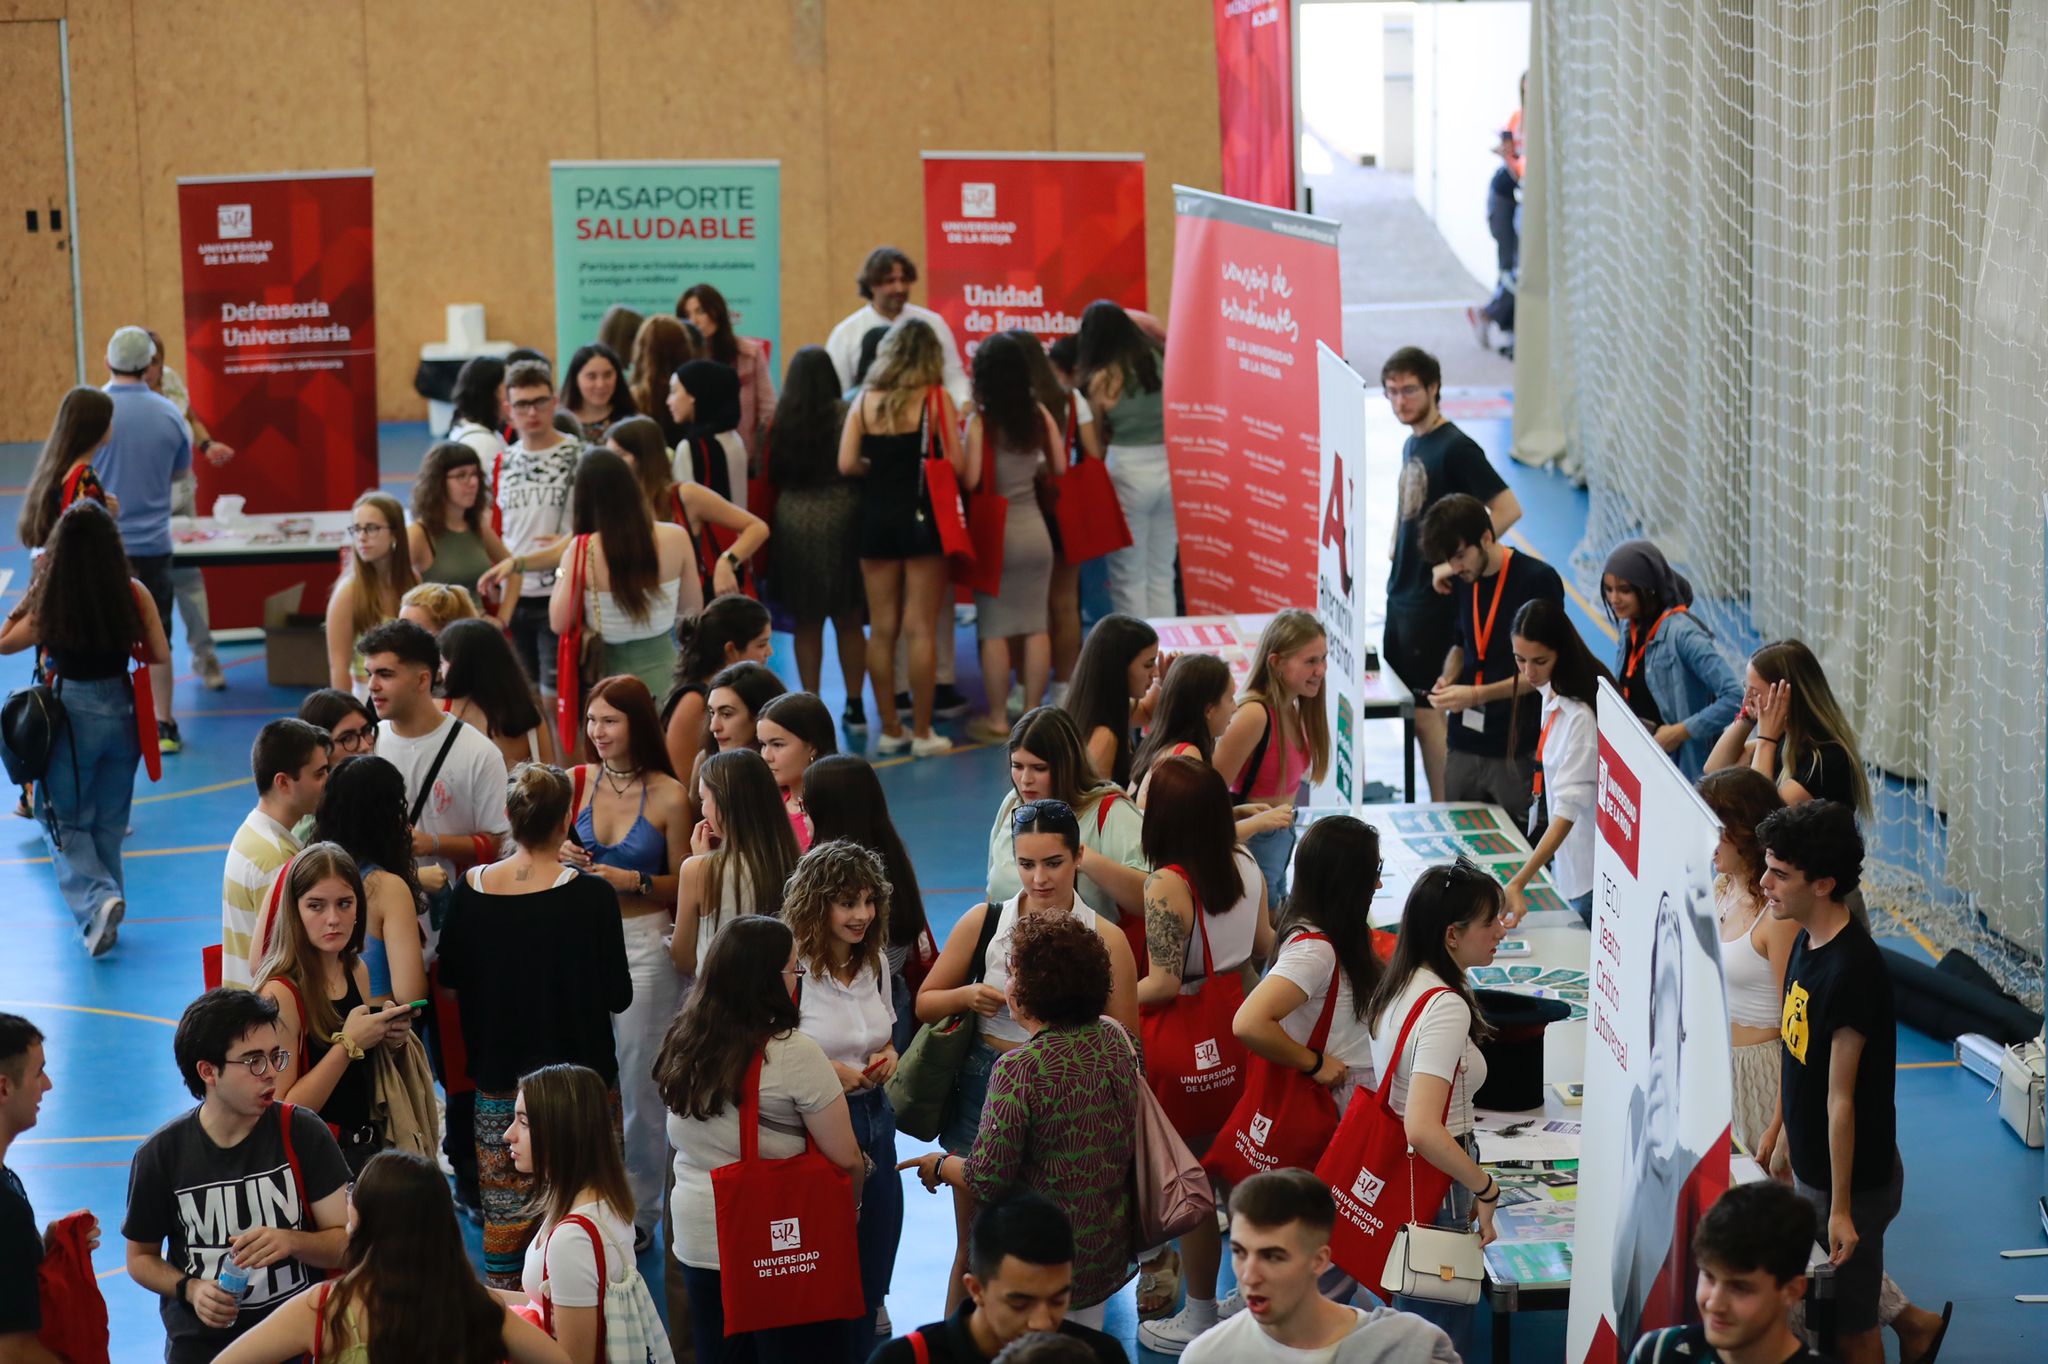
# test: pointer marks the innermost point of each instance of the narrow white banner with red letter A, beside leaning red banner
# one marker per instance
(1338, 568)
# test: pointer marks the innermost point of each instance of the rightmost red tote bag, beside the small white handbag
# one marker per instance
(1371, 1175)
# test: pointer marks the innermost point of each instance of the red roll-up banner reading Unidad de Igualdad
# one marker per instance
(1029, 241)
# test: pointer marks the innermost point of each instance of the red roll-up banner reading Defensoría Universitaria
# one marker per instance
(282, 355)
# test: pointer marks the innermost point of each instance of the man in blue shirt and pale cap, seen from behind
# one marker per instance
(148, 450)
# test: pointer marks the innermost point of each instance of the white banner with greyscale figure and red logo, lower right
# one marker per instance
(1658, 1064)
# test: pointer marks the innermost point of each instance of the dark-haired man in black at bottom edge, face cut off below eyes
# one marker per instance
(1019, 1279)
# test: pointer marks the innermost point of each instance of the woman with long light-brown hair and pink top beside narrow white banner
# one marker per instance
(1281, 734)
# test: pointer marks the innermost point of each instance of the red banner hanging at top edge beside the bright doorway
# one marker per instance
(1256, 99)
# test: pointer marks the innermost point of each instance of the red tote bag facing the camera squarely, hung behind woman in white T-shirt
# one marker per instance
(787, 1232)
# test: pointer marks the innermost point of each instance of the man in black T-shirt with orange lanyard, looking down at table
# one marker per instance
(1478, 685)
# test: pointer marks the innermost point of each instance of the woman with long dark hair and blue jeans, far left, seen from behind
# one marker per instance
(89, 617)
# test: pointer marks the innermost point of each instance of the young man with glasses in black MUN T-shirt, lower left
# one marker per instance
(228, 1181)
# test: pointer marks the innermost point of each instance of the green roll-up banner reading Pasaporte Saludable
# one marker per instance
(642, 232)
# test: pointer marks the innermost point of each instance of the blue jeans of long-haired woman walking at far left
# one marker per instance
(93, 798)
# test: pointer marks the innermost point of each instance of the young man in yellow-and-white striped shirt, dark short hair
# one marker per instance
(290, 763)
